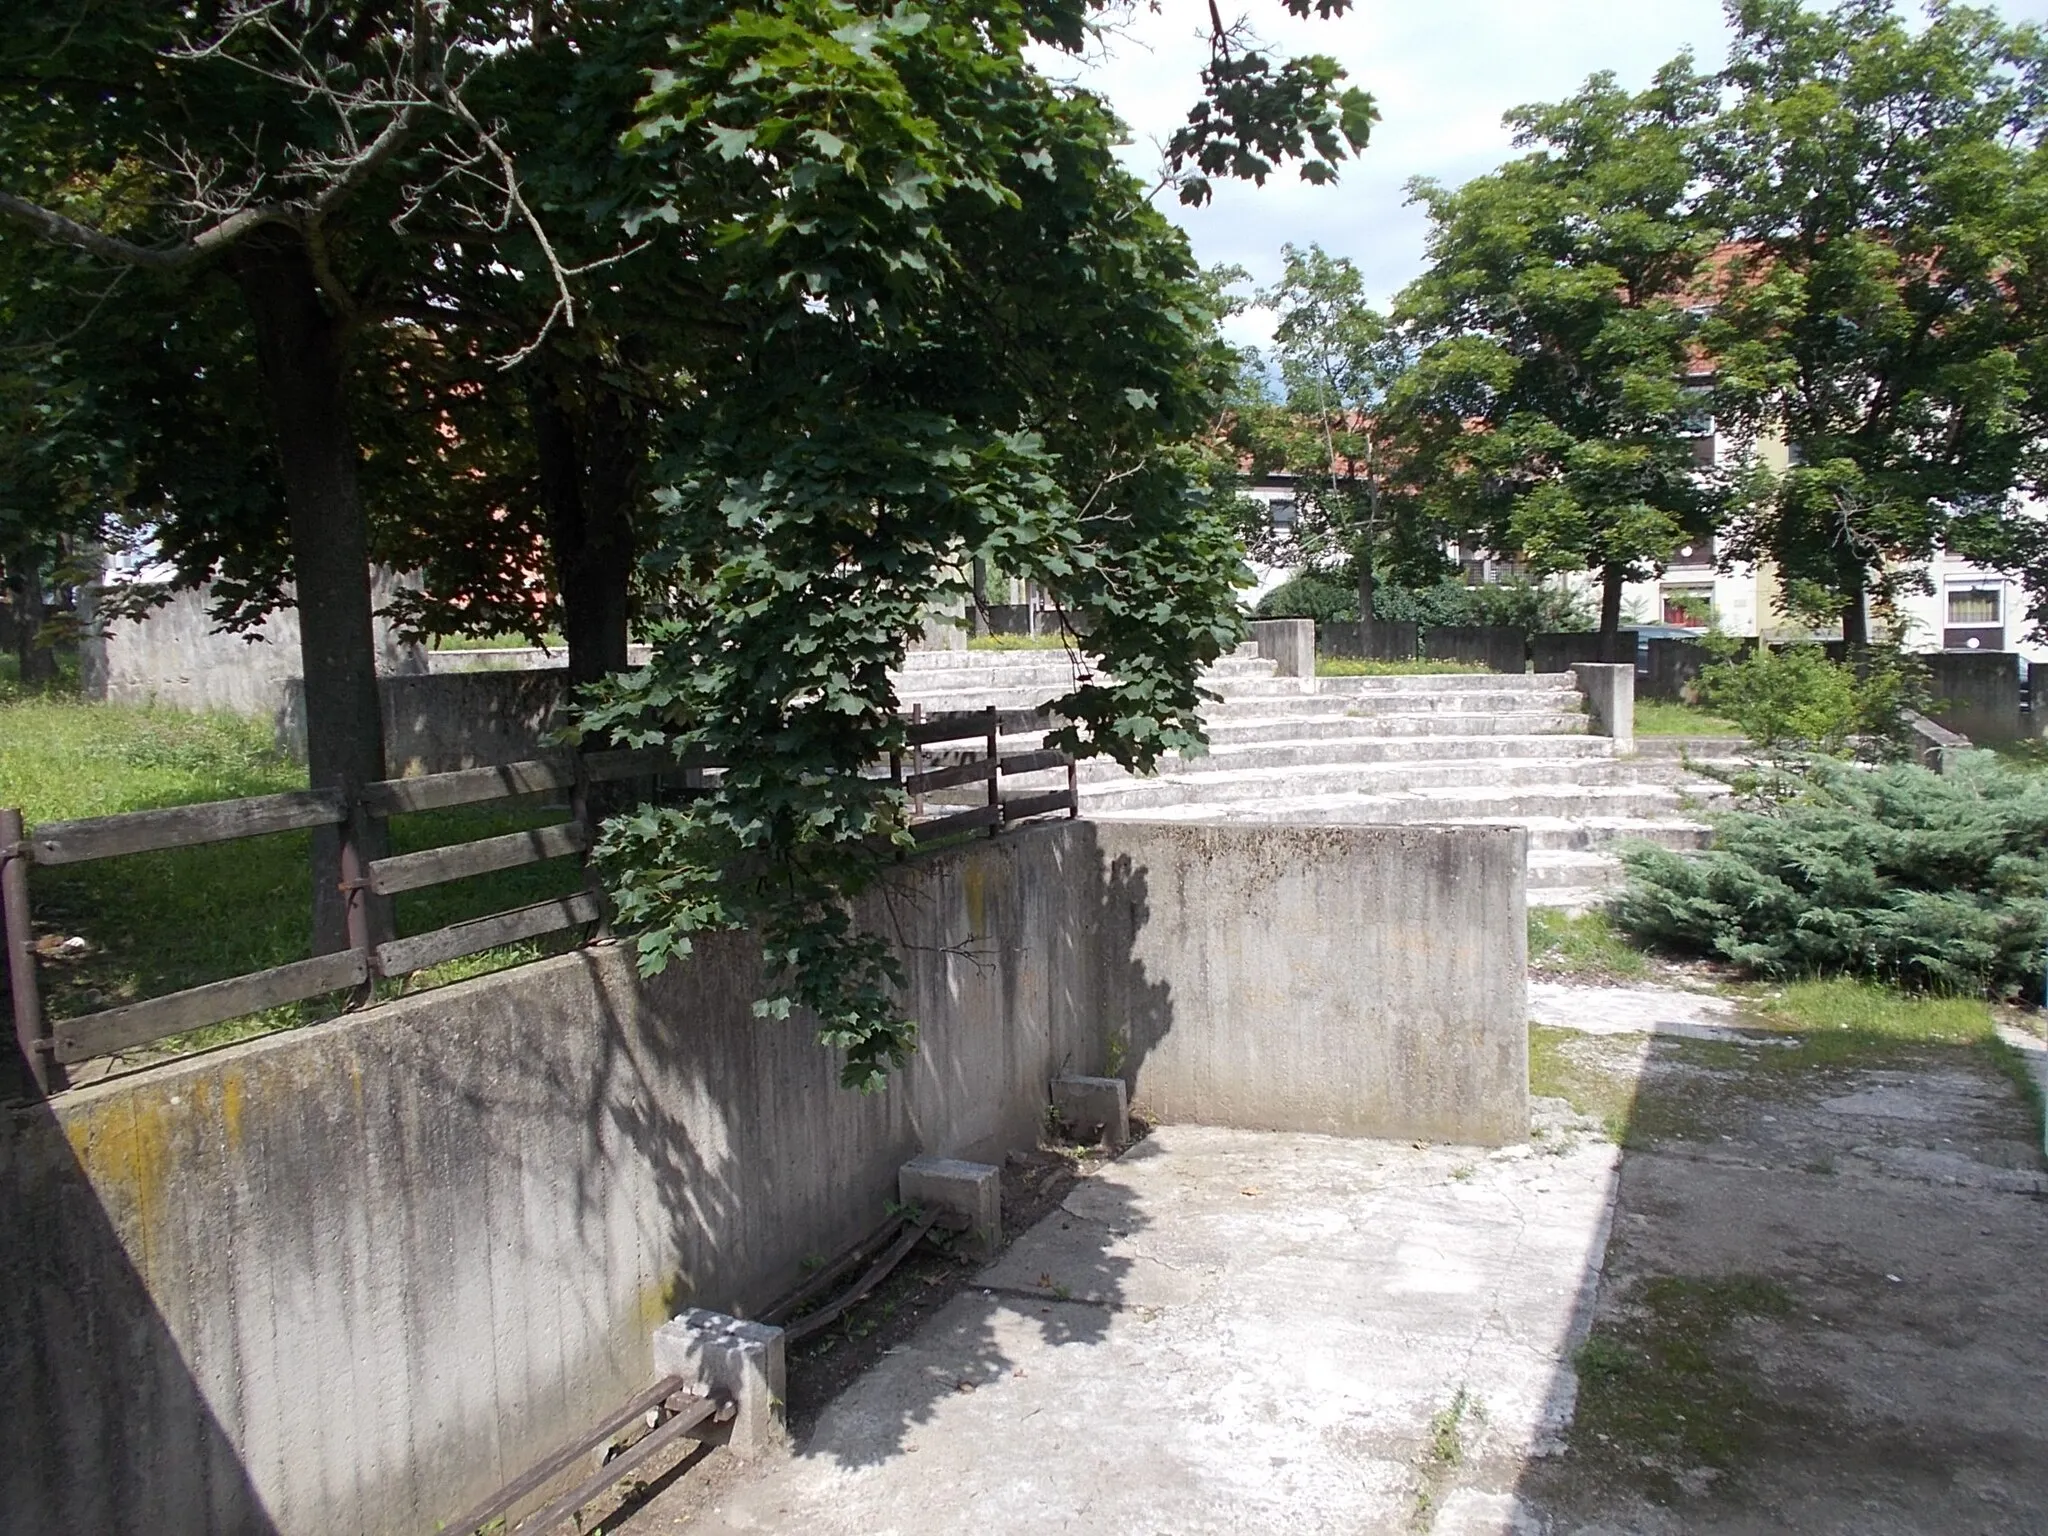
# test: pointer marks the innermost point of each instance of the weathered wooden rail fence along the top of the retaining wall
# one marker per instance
(50, 1046)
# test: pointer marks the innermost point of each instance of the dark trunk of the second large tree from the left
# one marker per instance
(589, 458)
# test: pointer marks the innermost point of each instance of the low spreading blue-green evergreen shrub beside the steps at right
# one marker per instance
(1895, 873)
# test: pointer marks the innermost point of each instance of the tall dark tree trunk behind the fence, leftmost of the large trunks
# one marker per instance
(302, 357)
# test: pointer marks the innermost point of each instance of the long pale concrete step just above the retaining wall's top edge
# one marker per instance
(1433, 804)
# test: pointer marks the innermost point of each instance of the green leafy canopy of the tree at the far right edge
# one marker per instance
(1881, 308)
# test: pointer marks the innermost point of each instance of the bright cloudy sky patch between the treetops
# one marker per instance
(1443, 75)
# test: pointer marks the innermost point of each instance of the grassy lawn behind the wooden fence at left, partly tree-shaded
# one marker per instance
(169, 921)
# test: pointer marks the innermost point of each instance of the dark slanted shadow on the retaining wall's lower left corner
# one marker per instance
(95, 1369)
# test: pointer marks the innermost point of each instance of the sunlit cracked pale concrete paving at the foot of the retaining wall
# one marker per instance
(1224, 1332)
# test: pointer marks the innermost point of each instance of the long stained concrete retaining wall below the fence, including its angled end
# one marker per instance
(355, 1277)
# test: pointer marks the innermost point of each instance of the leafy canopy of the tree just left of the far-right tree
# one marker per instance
(1549, 400)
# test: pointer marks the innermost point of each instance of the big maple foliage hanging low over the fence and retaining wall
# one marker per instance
(964, 335)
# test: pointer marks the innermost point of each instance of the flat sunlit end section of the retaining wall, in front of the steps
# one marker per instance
(1320, 980)
